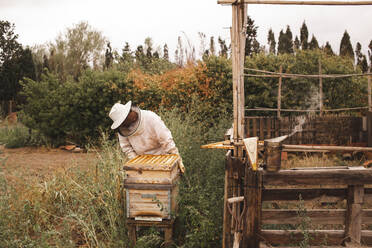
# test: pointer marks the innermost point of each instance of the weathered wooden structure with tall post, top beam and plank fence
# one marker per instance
(246, 189)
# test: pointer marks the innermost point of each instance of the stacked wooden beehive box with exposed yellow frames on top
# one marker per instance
(151, 186)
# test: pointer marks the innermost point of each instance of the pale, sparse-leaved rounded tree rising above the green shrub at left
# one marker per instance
(80, 47)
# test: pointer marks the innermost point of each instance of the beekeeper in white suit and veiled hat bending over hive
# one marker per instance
(141, 132)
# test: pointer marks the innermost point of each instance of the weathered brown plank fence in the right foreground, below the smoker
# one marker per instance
(346, 217)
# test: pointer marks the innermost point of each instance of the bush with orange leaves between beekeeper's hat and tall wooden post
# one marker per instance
(209, 81)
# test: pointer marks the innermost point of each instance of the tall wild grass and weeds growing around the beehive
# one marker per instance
(86, 206)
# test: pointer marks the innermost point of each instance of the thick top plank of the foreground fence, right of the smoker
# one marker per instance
(318, 177)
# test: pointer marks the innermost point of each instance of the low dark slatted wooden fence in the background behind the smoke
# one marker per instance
(332, 129)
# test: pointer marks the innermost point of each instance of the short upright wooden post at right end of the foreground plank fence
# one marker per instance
(353, 222)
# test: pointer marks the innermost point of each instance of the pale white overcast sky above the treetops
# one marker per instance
(120, 21)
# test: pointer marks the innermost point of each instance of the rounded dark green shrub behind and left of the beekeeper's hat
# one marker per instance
(75, 111)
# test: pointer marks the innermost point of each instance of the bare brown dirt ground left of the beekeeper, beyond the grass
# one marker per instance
(40, 163)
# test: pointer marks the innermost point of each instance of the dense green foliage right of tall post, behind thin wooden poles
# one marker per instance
(303, 93)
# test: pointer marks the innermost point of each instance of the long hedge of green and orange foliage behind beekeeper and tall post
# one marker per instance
(77, 111)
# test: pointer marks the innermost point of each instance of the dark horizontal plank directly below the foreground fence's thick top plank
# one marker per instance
(327, 195)
